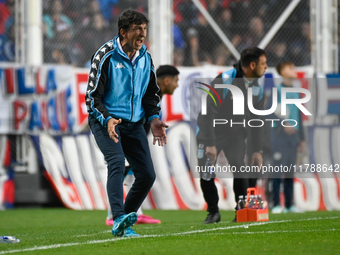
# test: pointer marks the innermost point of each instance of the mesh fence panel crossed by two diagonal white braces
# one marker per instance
(245, 24)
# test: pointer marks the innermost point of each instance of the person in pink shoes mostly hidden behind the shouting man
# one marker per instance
(167, 80)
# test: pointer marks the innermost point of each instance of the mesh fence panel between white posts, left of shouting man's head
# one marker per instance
(74, 30)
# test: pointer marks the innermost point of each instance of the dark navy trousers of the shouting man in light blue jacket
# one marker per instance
(134, 146)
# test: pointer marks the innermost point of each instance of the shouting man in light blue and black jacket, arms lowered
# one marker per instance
(122, 94)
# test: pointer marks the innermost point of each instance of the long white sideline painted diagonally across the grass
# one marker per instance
(53, 246)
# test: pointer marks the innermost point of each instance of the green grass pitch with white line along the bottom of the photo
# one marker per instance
(63, 231)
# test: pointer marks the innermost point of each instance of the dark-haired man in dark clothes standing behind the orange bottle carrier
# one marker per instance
(231, 136)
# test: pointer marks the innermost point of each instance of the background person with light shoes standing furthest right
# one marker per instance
(286, 141)
